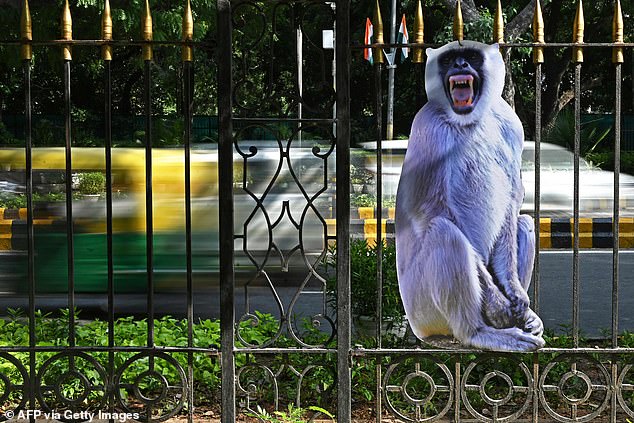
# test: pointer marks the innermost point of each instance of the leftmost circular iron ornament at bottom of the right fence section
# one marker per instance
(417, 404)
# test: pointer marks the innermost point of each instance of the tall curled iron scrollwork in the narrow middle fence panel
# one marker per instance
(298, 164)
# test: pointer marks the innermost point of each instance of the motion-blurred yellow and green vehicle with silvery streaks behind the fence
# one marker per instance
(268, 211)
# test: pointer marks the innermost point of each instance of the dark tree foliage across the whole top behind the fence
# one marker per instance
(265, 63)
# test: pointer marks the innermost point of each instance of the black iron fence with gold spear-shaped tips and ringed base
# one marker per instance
(286, 251)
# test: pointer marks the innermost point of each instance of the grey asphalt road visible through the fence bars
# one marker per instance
(555, 295)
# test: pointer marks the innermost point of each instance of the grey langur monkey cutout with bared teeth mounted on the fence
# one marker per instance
(464, 254)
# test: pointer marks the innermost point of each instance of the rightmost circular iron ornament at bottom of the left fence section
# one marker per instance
(155, 380)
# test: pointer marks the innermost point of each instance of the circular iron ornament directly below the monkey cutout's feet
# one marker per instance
(514, 396)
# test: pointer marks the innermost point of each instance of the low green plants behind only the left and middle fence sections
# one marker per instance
(53, 331)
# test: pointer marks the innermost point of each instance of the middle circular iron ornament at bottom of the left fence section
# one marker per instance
(72, 384)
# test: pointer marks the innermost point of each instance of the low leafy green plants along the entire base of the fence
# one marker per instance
(316, 389)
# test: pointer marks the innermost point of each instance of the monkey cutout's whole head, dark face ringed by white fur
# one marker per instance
(462, 77)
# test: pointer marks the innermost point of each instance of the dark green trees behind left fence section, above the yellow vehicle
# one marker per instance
(87, 74)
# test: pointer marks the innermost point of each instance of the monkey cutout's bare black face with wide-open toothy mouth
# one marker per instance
(461, 70)
